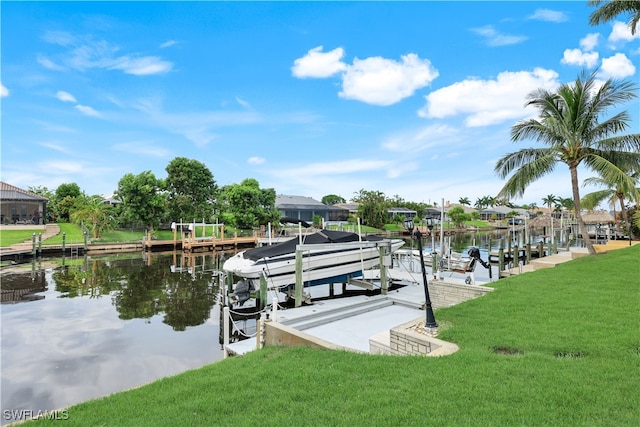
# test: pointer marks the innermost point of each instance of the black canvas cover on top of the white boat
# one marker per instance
(320, 237)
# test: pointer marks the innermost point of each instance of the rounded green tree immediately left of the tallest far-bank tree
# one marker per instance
(143, 198)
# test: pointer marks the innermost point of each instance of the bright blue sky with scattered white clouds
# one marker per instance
(414, 99)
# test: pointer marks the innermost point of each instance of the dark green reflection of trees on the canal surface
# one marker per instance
(144, 286)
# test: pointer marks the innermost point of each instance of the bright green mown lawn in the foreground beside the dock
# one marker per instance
(559, 346)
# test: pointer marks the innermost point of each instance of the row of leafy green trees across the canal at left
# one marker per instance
(188, 193)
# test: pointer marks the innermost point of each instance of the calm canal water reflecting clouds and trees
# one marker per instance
(102, 324)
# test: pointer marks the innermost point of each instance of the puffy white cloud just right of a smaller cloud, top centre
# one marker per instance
(381, 81)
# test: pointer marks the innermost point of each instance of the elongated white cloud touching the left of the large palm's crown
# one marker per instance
(488, 102)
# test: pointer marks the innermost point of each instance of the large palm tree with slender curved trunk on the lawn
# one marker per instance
(570, 129)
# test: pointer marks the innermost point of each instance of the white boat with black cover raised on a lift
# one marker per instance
(327, 257)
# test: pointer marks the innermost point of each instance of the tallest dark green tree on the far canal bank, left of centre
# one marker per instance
(192, 190)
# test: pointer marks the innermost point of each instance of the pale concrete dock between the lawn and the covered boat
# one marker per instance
(362, 323)
